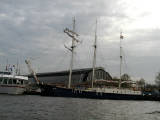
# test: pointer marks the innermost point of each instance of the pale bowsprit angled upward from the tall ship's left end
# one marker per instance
(32, 72)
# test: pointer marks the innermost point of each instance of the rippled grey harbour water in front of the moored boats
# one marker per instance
(26, 107)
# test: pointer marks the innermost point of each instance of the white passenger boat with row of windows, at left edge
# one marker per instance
(12, 84)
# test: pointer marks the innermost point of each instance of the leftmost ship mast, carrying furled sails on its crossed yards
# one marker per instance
(72, 34)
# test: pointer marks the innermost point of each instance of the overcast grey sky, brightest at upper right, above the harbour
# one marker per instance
(34, 29)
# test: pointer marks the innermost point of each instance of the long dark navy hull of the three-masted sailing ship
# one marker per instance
(65, 92)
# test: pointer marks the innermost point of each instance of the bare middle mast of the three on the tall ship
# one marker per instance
(94, 57)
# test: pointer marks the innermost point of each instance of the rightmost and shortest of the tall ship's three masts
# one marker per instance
(120, 79)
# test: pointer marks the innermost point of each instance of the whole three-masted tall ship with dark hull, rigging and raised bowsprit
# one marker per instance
(94, 92)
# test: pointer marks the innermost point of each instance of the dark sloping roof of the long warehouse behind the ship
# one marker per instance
(75, 71)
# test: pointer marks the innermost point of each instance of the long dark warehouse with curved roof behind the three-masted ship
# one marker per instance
(79, 76)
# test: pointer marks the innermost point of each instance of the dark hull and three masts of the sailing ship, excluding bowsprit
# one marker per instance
(94, 91)
